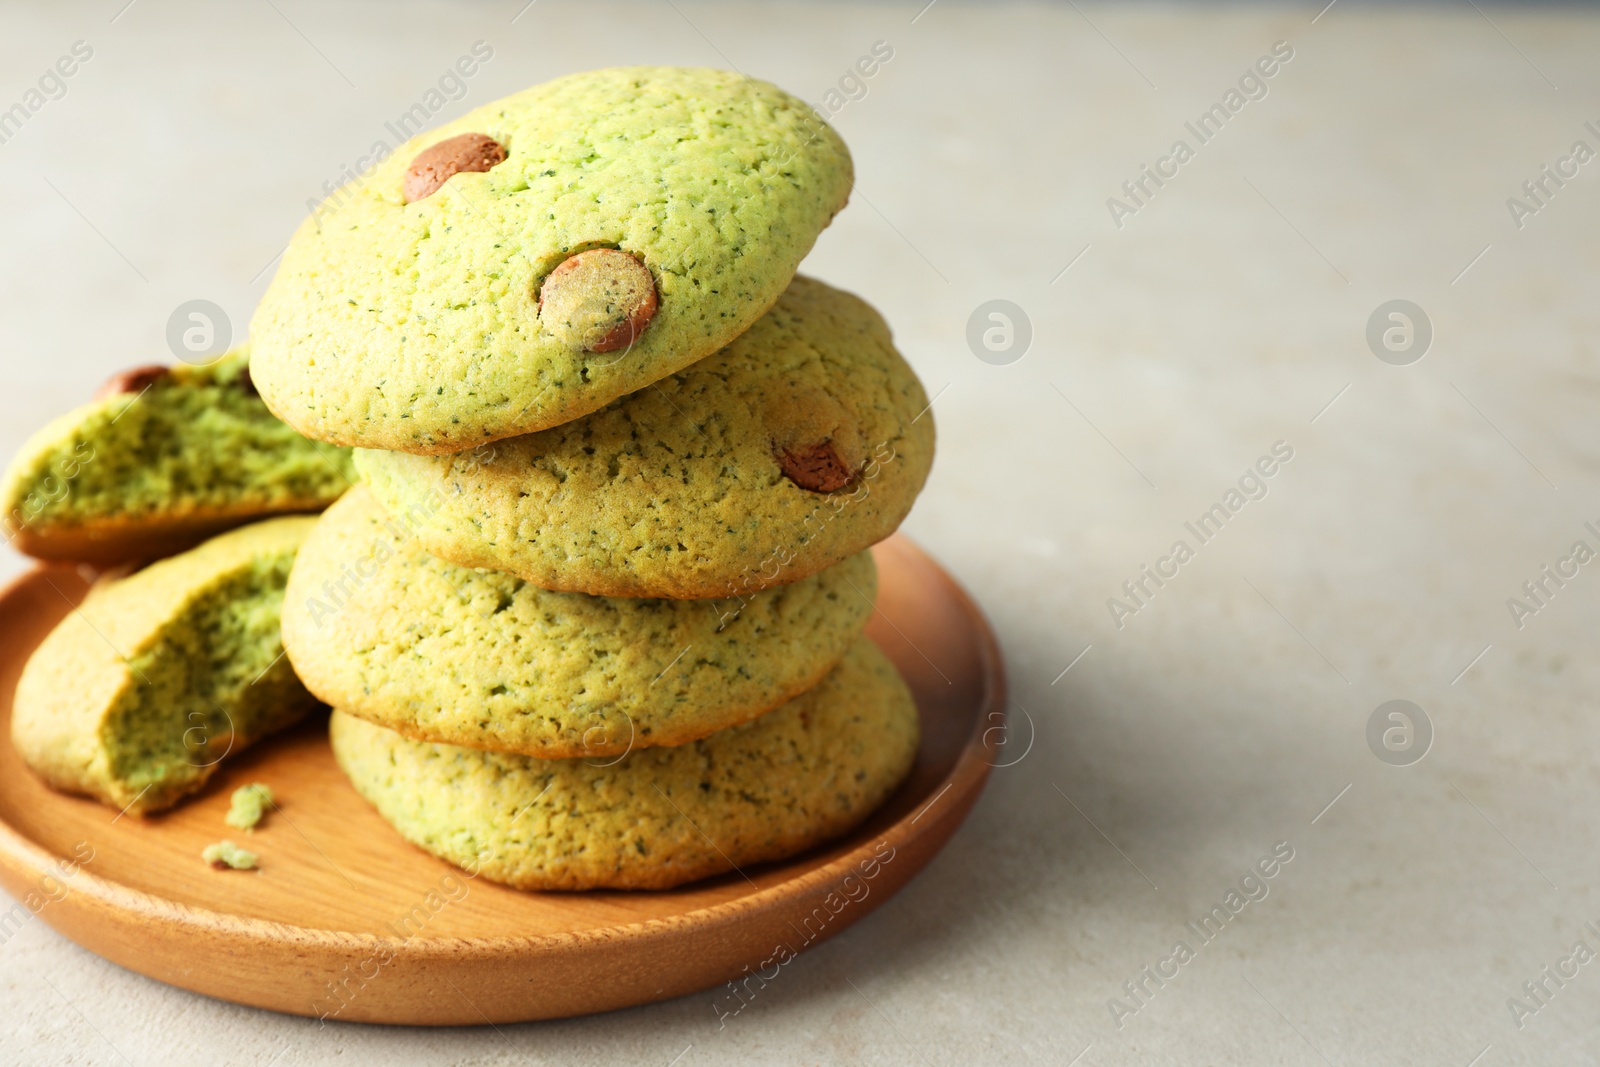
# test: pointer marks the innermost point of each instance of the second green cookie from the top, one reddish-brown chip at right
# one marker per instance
(694, 487)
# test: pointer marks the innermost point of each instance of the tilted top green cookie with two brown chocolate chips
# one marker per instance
(543, 257)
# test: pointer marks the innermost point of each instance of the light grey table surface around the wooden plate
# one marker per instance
(1174, 345)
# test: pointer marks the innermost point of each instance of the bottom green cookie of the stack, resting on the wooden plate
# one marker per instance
(657, 818)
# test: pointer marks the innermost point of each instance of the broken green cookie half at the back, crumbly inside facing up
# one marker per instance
(156, 470)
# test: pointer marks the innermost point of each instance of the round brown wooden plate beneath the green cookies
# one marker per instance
(346, 921)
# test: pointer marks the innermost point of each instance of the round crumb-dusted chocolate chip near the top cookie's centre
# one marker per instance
(599, 300)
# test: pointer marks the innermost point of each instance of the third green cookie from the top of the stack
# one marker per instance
(380, 629)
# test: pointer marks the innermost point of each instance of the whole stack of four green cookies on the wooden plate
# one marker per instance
(594, 617)
